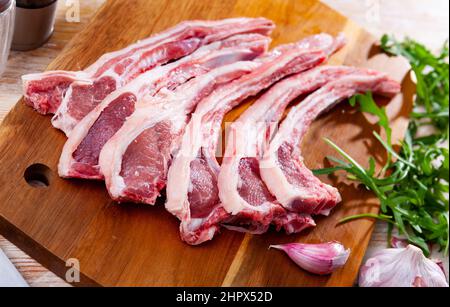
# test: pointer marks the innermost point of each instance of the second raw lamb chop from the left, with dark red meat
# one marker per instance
(81, 152)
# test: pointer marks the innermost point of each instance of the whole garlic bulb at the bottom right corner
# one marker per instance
(401, 267)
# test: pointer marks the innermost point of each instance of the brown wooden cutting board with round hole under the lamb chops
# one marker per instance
(130, 244)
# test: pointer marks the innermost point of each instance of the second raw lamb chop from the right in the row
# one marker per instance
(241, 189)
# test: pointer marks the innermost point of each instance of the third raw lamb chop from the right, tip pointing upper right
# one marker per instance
(192, 192)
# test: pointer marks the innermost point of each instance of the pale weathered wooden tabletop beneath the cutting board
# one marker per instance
(425, 21)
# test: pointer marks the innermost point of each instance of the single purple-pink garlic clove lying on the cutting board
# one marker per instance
(319, 259)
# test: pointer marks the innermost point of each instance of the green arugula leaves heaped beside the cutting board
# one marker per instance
(414, 194)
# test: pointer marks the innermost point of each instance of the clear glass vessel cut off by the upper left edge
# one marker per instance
(7, 11)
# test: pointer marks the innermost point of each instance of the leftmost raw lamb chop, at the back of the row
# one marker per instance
(73, 94)
